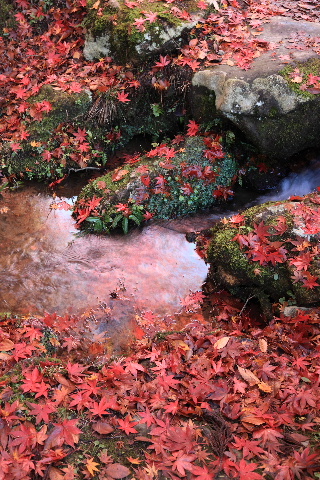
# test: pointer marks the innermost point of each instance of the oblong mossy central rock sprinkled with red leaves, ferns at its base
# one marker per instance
(165, 191)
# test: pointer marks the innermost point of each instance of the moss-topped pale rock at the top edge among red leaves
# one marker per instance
(114, 34)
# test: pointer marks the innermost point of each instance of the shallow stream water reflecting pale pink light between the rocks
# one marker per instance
(45, 266)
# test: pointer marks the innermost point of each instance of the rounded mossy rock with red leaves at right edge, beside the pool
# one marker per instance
(233, 266)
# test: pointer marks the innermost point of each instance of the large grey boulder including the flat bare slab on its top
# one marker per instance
(266, 101)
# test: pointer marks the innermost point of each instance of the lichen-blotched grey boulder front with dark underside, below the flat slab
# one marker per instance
(271, 110)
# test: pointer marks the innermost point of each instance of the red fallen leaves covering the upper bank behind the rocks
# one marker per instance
(45, 48)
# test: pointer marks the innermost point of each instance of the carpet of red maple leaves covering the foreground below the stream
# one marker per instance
(232, 397)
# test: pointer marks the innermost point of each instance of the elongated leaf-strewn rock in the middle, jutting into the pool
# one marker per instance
(166, 183)
